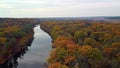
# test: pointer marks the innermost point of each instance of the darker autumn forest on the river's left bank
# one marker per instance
(14, 35)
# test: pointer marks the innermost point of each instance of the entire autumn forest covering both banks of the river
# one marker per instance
(76, 43)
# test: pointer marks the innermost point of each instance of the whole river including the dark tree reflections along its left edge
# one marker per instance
(34, 56)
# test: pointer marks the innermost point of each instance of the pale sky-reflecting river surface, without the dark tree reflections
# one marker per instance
(38, 52)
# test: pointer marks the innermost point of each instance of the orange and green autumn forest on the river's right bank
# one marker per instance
(83, 44)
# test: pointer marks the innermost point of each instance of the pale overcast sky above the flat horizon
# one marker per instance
(58, 8)
